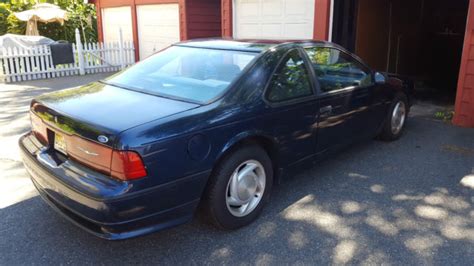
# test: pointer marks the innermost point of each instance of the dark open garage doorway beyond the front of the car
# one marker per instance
(416, 39)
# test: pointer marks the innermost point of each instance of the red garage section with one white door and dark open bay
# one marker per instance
(427, 41)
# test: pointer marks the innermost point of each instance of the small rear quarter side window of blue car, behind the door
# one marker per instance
(291, 79)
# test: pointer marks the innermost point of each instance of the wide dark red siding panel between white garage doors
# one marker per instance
(203, 18)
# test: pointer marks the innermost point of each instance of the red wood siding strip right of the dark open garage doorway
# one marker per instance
(464, 110)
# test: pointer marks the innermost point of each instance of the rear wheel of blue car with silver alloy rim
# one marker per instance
(239, 187)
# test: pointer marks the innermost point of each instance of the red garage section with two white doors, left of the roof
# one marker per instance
(155, 24)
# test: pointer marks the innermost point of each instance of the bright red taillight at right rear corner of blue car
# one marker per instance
(127, 165)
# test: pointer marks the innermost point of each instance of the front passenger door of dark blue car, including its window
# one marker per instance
(345, 97)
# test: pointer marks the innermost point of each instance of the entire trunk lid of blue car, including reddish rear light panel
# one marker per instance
(84, 123)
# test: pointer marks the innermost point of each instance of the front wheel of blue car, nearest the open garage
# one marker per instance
(396, 118)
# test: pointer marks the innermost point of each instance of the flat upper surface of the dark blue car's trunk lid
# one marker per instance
(102, 110)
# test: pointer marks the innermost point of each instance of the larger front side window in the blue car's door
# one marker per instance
(337, 70)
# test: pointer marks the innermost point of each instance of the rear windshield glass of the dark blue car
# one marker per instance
(193, 74)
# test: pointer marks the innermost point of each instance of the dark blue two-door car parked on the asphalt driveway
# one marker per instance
(210, 123)
